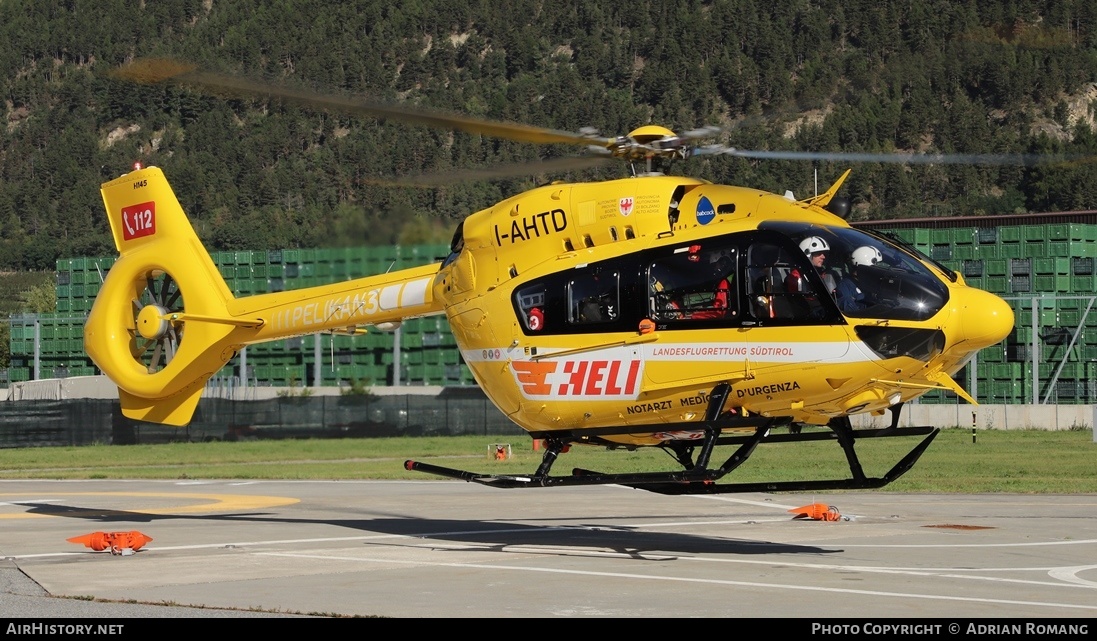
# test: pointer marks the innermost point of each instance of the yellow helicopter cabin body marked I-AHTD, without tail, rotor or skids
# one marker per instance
(559, 306)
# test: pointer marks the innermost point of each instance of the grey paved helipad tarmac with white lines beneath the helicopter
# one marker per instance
(450, 549)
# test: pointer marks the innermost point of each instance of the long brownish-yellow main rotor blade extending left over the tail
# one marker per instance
(156, 71)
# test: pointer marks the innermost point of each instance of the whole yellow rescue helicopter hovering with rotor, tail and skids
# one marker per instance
(650, 311)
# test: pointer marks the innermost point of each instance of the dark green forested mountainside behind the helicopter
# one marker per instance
(937, 76)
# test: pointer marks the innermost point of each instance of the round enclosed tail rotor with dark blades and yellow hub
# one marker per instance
(156, 336)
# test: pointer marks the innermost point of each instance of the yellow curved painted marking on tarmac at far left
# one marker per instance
(210, 503)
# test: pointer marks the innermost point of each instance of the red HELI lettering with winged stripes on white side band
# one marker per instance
(604, 380)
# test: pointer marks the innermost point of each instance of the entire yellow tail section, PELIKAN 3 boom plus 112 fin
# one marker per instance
(165, 321)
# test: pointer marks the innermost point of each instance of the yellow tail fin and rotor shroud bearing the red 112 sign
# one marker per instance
(130, 335)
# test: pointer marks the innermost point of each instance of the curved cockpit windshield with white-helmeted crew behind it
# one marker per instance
(872, 276)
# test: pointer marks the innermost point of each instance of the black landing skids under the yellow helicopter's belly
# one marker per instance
(697, 476)
